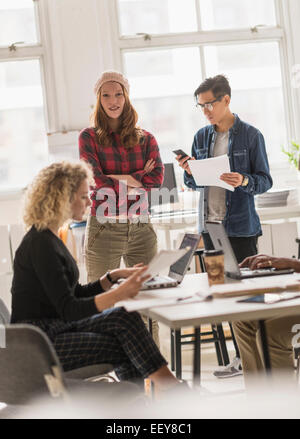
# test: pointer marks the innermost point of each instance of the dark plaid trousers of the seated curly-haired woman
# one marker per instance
(113, 336)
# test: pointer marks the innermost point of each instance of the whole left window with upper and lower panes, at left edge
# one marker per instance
(23, 146)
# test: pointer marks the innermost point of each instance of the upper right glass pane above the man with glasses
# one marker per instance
(226, 14)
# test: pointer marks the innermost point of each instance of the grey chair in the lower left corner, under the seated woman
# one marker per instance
(30, 369)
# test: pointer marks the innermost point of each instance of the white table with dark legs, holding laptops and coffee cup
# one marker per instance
(215, 312)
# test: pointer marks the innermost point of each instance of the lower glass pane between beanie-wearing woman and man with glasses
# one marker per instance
(162, 84)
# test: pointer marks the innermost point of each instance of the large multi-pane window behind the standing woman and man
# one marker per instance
(168, 47)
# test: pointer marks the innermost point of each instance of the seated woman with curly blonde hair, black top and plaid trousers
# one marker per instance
(80, 320)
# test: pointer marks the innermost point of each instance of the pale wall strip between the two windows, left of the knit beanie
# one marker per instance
(81, 50)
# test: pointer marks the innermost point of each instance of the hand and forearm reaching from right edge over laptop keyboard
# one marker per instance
(266, 261)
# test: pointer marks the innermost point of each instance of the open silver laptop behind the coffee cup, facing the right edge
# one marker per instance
(220, 241)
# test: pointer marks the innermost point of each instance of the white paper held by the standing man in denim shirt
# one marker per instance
(207, 172)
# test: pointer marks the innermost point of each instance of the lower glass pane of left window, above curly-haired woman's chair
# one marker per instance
(23, 146)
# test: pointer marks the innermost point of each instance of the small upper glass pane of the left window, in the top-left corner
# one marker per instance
(17, 22)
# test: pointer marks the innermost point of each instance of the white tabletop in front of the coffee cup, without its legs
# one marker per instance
(217, 310)
